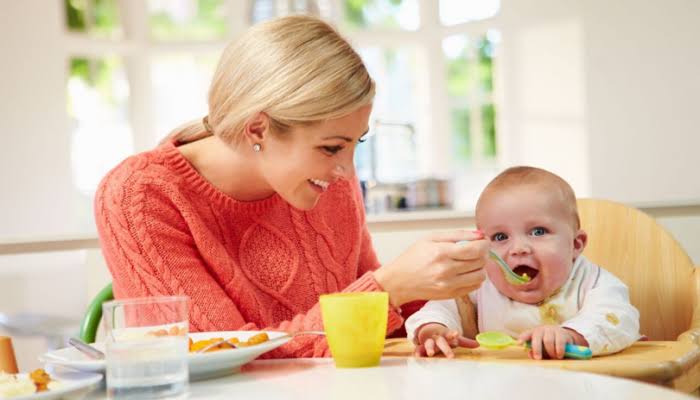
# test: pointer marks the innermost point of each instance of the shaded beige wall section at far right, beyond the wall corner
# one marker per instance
(643, 92)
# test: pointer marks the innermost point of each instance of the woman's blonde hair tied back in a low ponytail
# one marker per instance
(297, 69)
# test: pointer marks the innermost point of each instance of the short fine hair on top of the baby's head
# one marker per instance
(524, 175)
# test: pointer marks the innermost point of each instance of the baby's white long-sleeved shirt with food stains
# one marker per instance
(593, 302)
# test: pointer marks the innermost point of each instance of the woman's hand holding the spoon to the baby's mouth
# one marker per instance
(436, 268)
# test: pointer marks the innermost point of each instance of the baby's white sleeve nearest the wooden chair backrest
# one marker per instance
(607, 319)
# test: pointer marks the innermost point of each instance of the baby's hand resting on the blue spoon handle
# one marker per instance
(550, 339)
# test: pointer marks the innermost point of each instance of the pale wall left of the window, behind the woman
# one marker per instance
(35, 155)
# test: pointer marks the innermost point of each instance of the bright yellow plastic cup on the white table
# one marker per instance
(355, 325)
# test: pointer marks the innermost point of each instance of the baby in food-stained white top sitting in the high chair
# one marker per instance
(531, 219)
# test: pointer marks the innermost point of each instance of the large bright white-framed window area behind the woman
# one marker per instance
(435, 113)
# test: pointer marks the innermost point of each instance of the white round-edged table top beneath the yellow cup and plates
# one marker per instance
(423, 379)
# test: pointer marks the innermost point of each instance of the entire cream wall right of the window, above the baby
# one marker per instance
(605, 94)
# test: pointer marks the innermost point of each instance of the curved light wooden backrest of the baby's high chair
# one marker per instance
(664, 284)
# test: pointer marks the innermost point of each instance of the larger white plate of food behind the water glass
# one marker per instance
(202, 366)
